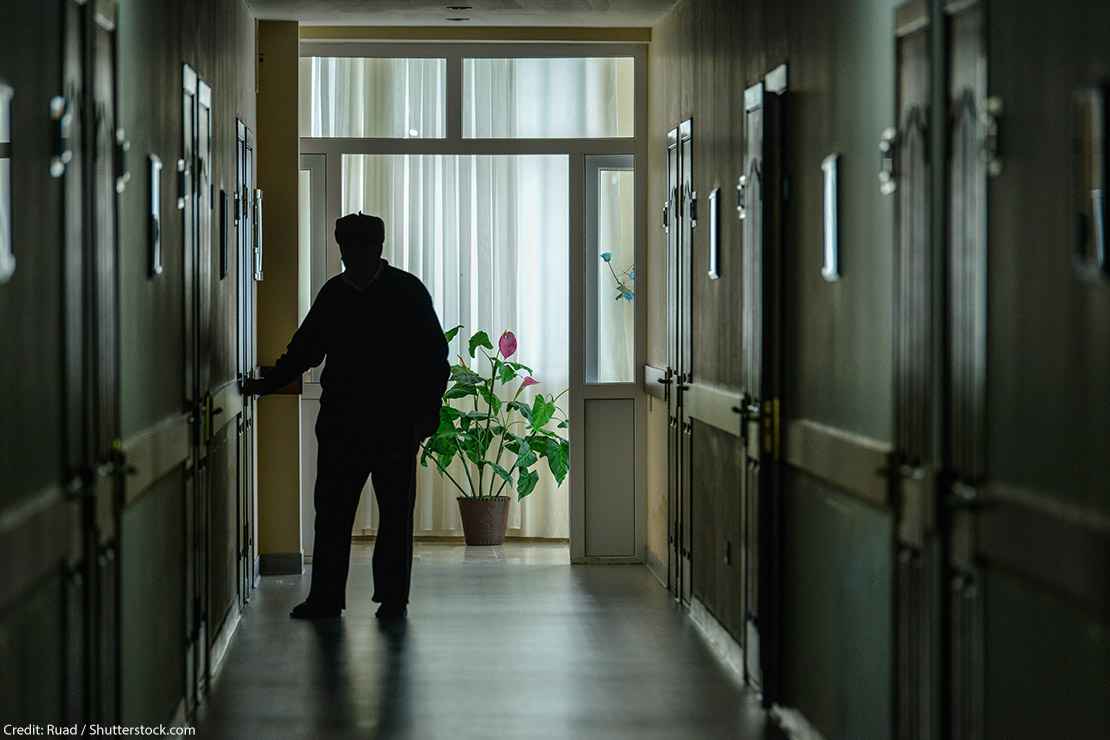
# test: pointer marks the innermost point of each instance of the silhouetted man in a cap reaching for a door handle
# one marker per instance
(382, 387)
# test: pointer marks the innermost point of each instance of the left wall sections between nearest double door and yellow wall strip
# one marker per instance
(217, 39)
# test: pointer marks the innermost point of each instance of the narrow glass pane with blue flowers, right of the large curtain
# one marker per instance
(611, 329)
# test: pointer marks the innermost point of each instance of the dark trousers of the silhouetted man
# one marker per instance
(347, 458)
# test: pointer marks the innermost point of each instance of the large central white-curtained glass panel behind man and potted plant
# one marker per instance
(490, 239)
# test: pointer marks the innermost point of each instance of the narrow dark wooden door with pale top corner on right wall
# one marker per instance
(761, 210)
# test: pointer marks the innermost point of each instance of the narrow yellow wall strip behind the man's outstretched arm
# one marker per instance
(279, 417)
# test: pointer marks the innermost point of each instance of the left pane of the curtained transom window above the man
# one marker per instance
(374, 98)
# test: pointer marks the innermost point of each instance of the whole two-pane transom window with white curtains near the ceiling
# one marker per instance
(459, 94)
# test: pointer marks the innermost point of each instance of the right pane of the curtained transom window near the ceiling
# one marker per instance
(548, 98)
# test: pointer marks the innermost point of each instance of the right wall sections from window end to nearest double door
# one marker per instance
(839, 625)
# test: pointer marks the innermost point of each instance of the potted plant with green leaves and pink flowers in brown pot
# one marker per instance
(497, 435)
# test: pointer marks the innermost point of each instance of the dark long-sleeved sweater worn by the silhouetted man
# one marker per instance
(387, 356)
